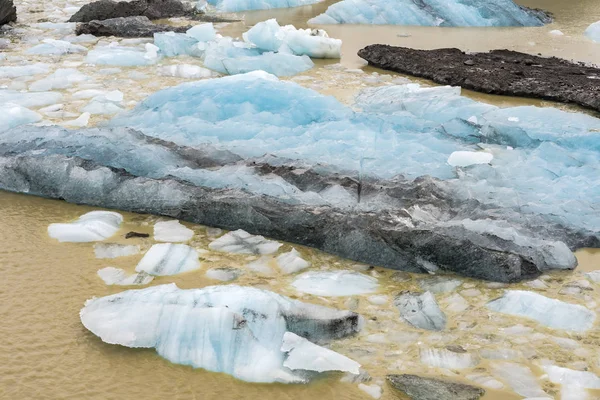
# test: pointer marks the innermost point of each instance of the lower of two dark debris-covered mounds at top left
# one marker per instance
(126, 27)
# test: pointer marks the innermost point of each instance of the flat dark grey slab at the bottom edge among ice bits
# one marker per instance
(422, 388)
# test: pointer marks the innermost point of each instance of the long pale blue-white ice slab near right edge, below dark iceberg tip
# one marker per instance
(549, 312)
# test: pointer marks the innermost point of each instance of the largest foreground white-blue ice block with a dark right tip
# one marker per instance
(231, 329)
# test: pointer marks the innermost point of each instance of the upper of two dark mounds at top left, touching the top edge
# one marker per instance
(153, 9)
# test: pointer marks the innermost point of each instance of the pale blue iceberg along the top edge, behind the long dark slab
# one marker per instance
(431, 13)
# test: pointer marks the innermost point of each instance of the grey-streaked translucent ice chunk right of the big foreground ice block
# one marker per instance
(421, 311)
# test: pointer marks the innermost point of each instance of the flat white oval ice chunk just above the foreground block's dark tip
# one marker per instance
(335, 283)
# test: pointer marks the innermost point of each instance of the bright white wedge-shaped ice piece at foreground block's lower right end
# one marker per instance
(304, 355)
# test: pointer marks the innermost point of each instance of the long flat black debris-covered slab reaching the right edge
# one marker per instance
(497, 72)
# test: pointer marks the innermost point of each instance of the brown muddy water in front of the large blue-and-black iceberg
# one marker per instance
(47, 354)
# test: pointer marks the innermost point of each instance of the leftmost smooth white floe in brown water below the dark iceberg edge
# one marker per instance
(91, 227)
